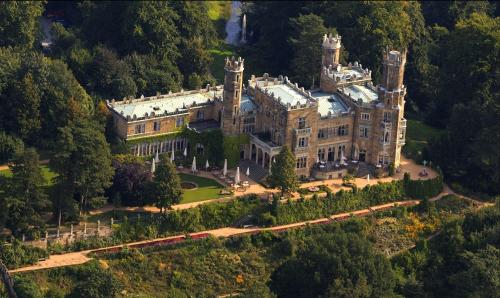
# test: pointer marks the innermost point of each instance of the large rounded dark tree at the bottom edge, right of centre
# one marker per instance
(337, 264)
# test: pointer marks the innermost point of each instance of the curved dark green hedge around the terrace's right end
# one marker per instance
(420, 189)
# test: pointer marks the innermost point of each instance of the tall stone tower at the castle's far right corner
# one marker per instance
(391, 93)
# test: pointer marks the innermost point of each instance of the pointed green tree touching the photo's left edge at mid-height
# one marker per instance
(24, 196)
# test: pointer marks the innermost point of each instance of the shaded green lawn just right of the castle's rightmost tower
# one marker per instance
(418, 136)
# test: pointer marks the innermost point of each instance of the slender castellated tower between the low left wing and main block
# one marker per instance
(233, 83)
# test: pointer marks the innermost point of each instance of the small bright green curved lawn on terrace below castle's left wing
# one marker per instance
(207, 189)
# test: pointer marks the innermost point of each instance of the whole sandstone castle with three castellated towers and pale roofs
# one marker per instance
(346, 118)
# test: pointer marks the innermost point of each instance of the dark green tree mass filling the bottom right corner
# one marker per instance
(462, 261)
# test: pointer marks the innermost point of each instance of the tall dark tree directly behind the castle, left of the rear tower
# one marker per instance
(305, 40)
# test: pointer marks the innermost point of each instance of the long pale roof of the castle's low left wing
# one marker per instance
(161, 105)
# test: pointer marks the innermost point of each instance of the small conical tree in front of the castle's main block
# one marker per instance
(283, 172)
